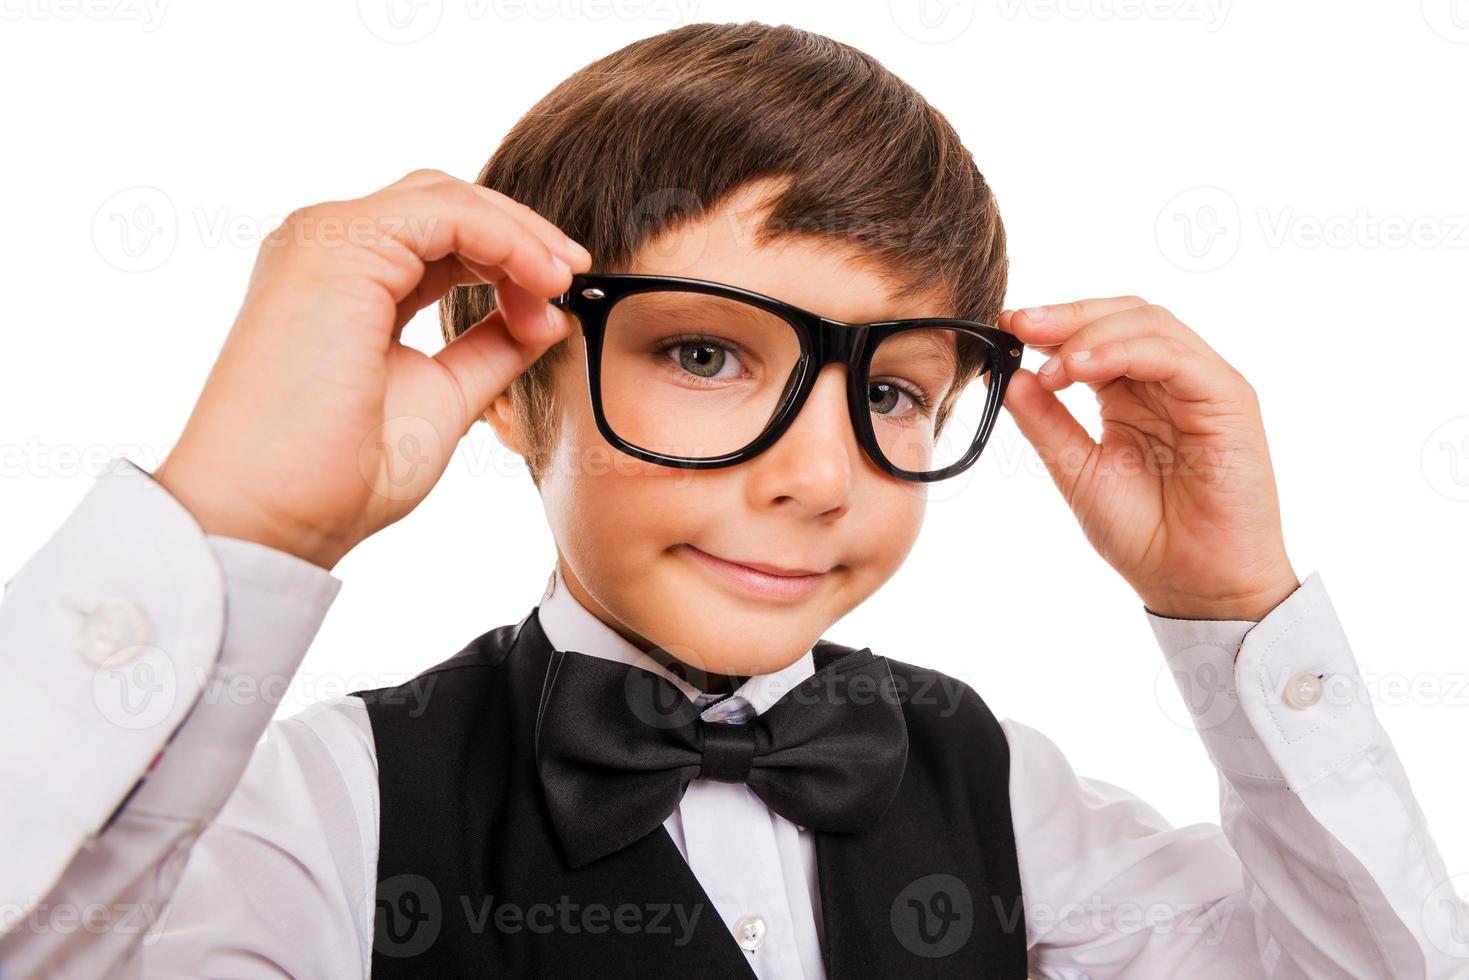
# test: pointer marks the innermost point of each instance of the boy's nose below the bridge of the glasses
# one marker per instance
(812, 466)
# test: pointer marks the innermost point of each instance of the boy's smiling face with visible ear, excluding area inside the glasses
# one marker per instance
(634, 538)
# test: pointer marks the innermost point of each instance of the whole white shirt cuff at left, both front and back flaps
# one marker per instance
(143, 662)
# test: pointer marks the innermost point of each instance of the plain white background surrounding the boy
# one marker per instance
(1288, 179)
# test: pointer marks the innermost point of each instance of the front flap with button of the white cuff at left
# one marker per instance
(107, 637)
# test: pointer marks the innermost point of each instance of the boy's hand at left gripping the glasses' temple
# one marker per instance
(317, 427)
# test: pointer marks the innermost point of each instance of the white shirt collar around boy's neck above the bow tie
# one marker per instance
(569, 625)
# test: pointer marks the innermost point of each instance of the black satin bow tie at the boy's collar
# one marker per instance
(618, 746)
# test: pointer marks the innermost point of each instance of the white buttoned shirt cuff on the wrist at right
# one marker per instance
(1279, 700)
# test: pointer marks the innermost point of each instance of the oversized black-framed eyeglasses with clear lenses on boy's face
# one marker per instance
(701, 375)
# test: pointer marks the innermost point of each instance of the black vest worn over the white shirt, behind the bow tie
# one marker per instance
(472, 882)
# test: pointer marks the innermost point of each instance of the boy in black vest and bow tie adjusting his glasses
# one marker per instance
(663, 769)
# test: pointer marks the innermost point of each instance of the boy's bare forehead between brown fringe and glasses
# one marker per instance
(822, 274)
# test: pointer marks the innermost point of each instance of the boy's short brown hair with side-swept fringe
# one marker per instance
(665, 129)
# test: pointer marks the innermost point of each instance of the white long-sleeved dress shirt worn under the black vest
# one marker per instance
(148, 835)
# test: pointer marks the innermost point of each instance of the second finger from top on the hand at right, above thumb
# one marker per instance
(1185, 372)
